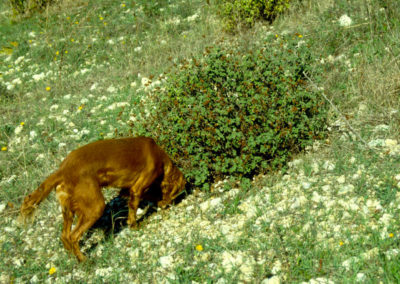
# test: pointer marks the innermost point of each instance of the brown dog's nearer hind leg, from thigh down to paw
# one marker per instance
(89, 206)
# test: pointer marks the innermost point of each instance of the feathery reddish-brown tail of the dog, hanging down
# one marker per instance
(33, 200)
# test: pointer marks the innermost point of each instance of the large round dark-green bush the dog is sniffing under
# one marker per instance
(235, 113)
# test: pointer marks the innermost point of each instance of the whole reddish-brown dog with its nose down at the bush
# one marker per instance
(128, 163)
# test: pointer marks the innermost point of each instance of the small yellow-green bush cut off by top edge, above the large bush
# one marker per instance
(243, 13)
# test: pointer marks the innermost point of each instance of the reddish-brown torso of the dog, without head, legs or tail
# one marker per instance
(115, 162)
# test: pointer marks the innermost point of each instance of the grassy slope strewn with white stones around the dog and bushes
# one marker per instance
(331, 216)
